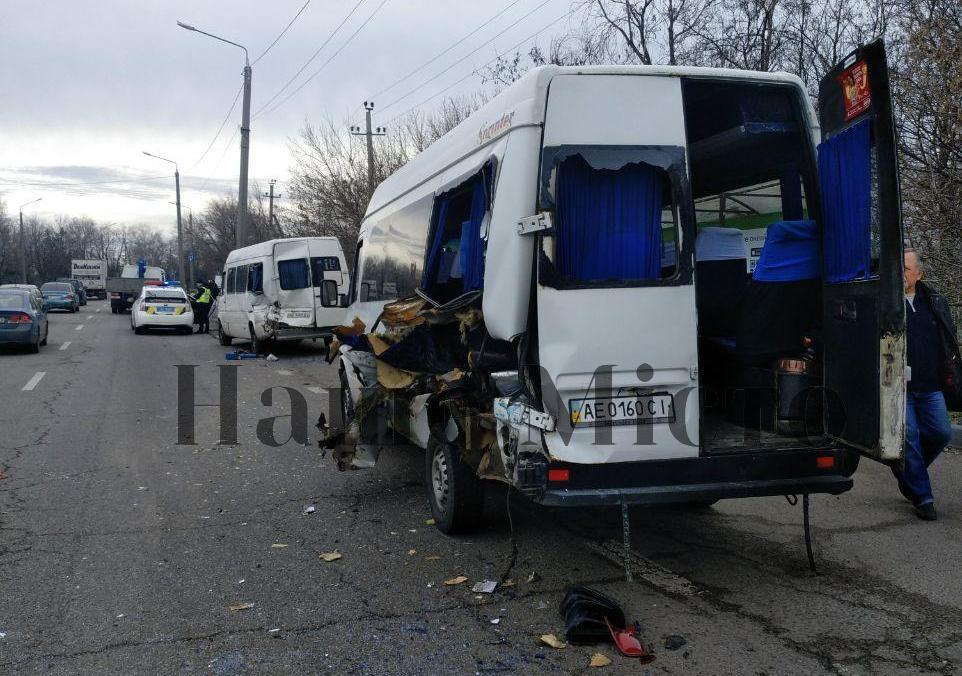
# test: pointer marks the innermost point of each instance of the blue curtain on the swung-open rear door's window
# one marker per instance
(845, 175)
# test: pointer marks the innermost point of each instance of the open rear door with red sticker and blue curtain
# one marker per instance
(864, 311)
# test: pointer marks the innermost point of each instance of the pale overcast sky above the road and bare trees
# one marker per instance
(87, 85)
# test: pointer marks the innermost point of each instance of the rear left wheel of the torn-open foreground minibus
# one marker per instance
(455, 493)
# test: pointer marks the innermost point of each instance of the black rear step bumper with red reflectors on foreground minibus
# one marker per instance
(700, 479)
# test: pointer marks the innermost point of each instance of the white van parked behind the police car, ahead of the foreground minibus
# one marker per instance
(283, 289)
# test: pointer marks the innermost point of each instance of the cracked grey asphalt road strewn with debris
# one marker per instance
(122, 551)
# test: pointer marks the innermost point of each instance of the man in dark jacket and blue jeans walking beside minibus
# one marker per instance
(933, 354)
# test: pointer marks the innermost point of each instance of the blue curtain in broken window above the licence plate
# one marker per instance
(609, 222)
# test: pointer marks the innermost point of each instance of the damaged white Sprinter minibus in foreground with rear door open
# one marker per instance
(637, 284)
